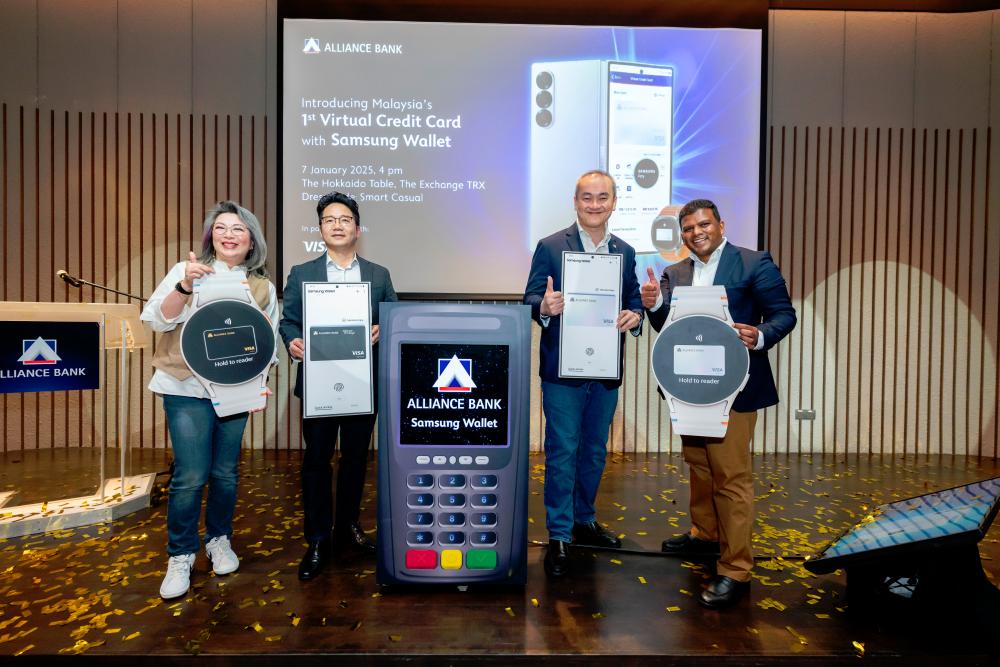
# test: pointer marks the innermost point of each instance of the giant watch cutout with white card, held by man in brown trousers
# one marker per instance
(699, 361)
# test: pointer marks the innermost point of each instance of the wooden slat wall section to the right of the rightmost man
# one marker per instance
(884, 239)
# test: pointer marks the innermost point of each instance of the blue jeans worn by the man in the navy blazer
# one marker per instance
(577, 420)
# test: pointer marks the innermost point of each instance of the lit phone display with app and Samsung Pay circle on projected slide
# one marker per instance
(640, 148)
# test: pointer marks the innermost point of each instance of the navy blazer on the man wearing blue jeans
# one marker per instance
(546, 262)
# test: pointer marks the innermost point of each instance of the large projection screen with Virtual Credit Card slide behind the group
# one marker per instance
(462, 143)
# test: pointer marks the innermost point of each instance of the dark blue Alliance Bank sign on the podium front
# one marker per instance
(49, 356)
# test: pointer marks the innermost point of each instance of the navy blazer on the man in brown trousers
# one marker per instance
(757, 295)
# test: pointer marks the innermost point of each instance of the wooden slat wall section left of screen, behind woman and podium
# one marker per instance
(118, 198)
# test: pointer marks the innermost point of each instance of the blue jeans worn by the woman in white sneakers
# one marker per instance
(206, 451)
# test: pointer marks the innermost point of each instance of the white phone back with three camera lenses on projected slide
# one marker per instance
(568, 124)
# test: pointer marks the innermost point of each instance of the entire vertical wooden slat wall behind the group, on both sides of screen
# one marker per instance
(881, 234)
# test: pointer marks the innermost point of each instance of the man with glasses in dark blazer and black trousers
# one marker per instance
(340, 225)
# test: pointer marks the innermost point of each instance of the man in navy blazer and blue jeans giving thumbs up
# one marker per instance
(578, 413)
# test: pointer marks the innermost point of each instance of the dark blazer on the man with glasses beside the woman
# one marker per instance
(314, 270)
